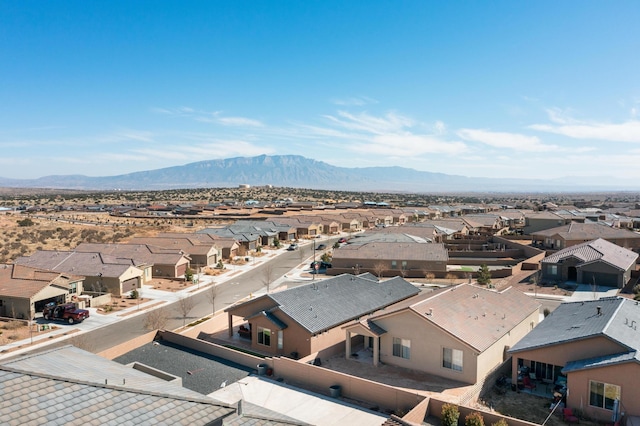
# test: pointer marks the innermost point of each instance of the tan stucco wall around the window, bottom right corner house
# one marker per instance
(624, 375)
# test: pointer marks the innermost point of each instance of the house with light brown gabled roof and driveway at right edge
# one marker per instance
(596, 262)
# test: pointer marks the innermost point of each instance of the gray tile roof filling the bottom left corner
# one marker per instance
(30, 396)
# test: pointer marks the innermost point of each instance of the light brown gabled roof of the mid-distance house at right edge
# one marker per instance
(596, 250)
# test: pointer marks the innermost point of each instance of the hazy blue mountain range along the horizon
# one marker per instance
(301, 172)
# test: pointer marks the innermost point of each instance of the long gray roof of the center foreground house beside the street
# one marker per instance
(327, 304)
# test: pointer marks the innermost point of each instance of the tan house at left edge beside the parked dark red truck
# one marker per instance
(24, 290)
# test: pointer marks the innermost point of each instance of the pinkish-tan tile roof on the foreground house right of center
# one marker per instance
(475, 315)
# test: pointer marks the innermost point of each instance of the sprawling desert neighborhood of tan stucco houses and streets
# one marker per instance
(411, 310)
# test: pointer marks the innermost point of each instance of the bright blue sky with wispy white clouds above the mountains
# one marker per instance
(541, 89)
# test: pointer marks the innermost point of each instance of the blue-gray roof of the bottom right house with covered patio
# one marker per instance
(618, 320)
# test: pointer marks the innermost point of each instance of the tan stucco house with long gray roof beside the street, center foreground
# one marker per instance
(304, 320)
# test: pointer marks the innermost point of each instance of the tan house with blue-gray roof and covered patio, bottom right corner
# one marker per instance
(591, 348)
